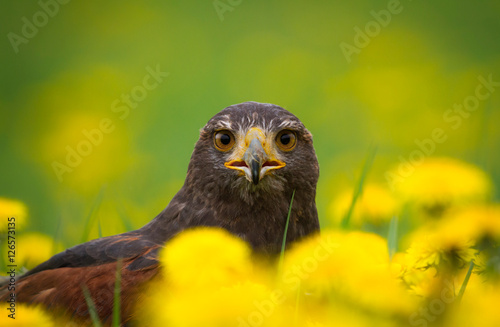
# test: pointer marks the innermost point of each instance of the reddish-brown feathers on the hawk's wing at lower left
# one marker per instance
(61, 290)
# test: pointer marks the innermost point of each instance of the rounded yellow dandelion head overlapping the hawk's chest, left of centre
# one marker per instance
(206, 257)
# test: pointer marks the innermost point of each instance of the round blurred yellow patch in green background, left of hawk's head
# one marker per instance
(82, 150)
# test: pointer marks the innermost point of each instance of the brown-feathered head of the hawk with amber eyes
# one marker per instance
(255, 147)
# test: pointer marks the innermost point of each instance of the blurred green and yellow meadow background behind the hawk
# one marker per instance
(65, 79)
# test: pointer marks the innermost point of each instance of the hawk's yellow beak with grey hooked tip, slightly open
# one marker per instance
(255, 156)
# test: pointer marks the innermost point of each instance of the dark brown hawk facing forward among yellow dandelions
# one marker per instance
(249, 160)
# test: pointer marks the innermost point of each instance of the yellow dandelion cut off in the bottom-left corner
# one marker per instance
(26, 316)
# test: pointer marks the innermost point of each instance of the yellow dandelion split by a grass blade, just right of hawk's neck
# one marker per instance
(375, 205)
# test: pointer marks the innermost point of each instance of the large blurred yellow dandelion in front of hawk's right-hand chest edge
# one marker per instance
(353, 266)
